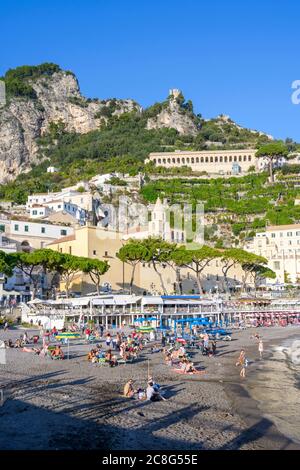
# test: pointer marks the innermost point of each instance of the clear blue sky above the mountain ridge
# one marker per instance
(230, 57)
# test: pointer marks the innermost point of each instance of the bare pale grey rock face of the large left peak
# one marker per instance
(58, 97)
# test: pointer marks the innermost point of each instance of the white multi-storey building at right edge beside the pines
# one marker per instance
(280, 244)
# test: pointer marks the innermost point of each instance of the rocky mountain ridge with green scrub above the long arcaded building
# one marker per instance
(39, 96)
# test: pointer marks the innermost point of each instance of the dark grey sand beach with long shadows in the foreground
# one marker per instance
(74, 404)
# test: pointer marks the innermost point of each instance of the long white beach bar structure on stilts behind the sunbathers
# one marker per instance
(118, 310)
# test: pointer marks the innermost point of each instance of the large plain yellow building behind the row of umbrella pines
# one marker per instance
(103, 244)
